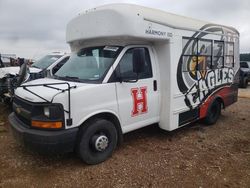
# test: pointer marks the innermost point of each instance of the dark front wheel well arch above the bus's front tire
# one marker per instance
(112, 118)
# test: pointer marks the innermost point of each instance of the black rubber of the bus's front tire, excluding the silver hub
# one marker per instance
(86, 151)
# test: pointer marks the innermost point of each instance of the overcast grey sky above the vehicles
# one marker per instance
(32, 28)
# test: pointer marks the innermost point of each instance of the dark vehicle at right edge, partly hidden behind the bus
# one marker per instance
(244, 73)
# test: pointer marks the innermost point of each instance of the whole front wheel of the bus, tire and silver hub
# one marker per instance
(98, 141)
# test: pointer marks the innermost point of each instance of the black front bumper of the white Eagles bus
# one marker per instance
(43, 141)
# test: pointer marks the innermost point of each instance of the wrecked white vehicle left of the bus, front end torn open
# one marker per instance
(11, 77)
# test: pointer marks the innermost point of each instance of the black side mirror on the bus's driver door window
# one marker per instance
(138, 60)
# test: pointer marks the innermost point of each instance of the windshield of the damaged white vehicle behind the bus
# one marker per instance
(46, 61)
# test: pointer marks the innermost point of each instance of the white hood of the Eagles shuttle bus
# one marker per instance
(43, 91)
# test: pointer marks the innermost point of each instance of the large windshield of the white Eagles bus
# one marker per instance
(89, 64)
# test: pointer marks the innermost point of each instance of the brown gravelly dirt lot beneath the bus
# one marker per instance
(193, 156)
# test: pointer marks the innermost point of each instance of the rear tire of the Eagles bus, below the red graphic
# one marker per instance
(213, 113)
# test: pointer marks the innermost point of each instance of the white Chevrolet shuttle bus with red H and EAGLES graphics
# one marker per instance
(130, 67)
